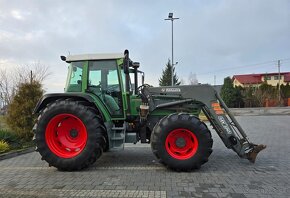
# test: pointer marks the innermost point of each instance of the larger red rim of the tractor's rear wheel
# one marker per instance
(66, 135)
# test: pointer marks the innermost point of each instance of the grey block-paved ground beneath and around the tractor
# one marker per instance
(135, 173)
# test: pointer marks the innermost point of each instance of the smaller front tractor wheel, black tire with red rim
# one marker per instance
(181, 142)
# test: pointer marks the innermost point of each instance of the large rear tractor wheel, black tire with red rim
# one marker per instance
(69, 135)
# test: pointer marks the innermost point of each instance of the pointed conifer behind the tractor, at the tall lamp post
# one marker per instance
(165, 79)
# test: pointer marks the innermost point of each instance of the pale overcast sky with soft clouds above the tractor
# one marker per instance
(211, 38)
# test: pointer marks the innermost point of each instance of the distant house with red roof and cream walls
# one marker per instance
(255, 80)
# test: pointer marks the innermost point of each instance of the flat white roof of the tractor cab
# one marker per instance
(82, 57)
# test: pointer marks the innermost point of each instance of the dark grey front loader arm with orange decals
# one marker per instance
(218, 114)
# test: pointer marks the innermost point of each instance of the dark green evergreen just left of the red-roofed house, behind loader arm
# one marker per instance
(232, 96)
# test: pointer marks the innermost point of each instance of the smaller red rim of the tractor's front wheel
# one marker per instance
(181, 144)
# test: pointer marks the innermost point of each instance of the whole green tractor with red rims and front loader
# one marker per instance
(103, 108)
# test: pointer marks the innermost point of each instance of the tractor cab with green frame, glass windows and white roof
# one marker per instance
(106, 76)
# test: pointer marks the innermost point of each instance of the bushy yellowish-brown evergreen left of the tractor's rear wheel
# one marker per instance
(19, 117)
